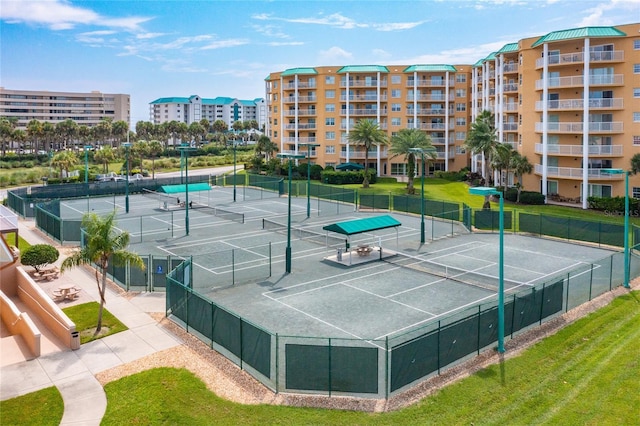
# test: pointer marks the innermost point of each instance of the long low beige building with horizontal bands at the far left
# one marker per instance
(83, 108)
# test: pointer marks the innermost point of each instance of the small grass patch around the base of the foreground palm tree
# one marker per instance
(85, 317)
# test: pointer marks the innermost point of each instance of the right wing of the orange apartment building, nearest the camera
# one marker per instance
(570, 102)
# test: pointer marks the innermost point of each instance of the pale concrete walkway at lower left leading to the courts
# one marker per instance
(73, 372)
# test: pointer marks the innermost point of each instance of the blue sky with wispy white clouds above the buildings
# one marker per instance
(151, 49)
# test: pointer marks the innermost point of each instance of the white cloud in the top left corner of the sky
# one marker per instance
(61, 15)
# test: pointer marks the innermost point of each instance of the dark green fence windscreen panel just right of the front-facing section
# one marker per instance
(414, 360)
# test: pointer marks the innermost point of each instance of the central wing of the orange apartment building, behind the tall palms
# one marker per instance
(320, 105)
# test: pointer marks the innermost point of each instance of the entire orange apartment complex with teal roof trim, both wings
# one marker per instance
(568, 100)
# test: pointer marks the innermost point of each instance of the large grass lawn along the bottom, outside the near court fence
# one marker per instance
(585, 374)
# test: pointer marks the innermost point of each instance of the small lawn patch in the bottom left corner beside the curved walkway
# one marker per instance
(44, 407)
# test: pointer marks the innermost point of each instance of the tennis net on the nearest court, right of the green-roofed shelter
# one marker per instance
(476, 279)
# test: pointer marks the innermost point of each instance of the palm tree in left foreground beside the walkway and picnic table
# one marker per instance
(102, 246)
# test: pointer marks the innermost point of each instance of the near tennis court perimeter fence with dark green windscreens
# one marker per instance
(378, 368)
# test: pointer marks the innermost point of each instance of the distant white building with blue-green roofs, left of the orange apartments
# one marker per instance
(196, 108)
